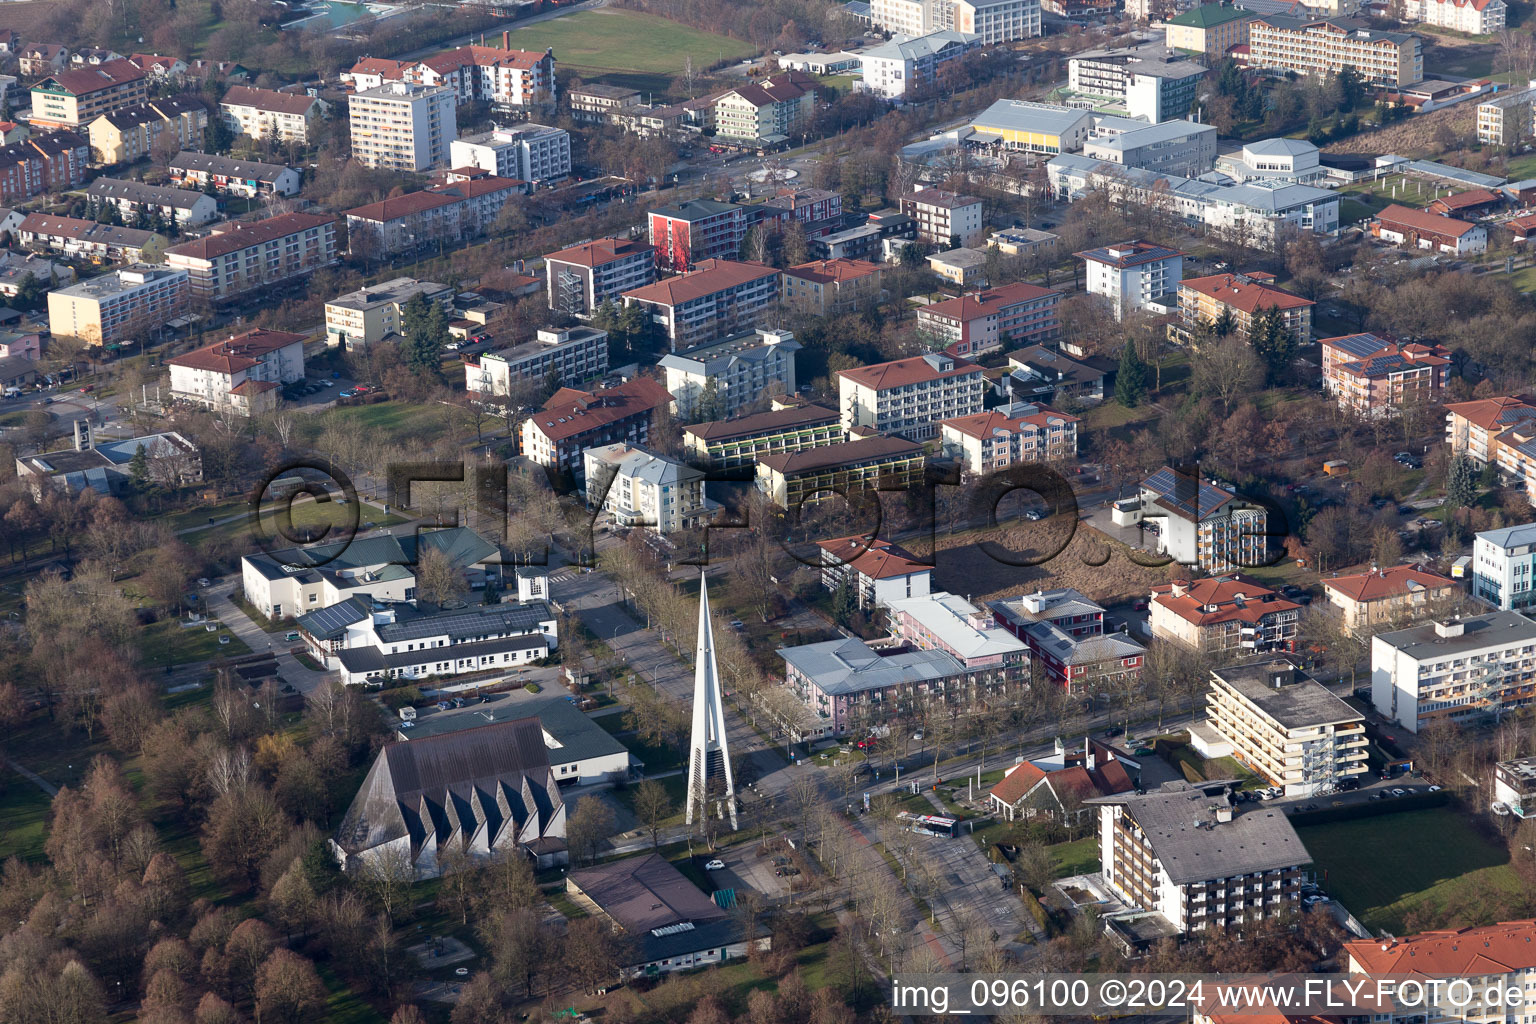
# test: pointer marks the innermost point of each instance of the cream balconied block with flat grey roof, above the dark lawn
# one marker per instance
(1286, 727)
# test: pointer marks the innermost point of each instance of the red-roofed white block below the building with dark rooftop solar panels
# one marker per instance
(1225, 615)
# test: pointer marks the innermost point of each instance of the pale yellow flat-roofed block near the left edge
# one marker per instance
(125, 305)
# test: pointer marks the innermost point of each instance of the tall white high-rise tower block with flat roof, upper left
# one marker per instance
(403, 127)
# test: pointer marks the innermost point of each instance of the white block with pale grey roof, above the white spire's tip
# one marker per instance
(643, 489)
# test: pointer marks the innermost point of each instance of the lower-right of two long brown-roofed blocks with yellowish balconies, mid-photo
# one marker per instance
(795, 478)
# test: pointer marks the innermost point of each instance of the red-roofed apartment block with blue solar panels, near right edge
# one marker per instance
(1372, 377)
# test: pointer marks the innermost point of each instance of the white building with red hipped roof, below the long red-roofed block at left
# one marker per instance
(242, 375)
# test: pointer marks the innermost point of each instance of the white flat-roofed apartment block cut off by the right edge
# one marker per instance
(1454, 670)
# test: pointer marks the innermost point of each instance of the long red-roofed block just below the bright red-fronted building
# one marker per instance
(715, 300)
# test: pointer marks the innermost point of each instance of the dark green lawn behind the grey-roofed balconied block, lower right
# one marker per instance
(1385, 867)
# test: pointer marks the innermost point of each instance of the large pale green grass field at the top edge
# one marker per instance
(615, 42)
